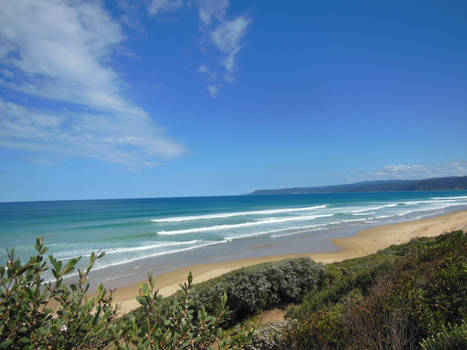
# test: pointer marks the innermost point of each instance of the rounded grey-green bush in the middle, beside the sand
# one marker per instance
(260, 287)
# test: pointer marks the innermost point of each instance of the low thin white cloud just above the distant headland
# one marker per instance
(414, 171)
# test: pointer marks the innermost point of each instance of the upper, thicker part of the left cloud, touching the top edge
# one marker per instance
(61, 49)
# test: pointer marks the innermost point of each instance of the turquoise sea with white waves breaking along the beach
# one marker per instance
(129, 230)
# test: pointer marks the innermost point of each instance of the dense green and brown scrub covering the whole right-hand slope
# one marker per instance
(391, 300)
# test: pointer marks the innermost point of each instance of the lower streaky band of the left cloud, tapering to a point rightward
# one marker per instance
(112, 138)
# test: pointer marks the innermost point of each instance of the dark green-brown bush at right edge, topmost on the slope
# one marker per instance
(429, 286)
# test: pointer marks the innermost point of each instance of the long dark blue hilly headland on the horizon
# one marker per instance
(432, 184)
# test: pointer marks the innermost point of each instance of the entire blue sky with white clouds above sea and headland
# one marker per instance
(167, 98)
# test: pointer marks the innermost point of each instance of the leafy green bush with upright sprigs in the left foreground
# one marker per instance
(55, 315)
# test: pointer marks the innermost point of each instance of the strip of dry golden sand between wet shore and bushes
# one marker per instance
(363, 243)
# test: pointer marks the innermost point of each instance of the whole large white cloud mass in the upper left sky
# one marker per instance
(62, 50)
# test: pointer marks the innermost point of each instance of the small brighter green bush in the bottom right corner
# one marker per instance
(449, 338)
